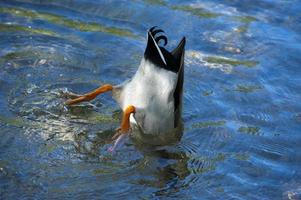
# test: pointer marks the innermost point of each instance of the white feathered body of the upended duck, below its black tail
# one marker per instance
(151, 92)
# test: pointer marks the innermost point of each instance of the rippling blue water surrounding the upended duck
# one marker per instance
(242, 109)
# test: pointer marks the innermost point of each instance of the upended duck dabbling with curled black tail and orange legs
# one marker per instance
(151, 101)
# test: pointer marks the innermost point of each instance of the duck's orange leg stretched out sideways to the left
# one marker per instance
(91, 95)
